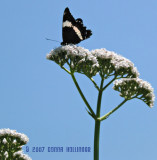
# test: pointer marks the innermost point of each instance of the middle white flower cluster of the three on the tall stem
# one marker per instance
(111, 63)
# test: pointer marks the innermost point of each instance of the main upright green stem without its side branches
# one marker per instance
(97, 123)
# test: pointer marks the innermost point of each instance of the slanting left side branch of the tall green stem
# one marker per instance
(83, 97)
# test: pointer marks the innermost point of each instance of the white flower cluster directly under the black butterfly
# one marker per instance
(79, 59)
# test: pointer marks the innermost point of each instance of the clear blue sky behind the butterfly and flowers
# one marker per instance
(40, 100)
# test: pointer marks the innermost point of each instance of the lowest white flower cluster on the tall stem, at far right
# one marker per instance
(130, 88)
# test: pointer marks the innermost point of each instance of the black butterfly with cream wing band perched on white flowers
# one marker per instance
(73, 30)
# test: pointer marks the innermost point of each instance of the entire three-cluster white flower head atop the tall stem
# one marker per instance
(106, 63)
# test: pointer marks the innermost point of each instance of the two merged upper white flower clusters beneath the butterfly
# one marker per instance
(100, 61)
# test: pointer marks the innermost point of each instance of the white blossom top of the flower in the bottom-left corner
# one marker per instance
(13, 135)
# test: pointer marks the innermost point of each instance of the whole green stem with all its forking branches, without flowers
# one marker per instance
(90, 111)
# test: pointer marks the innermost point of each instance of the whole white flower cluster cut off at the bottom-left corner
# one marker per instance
(11, 142)
